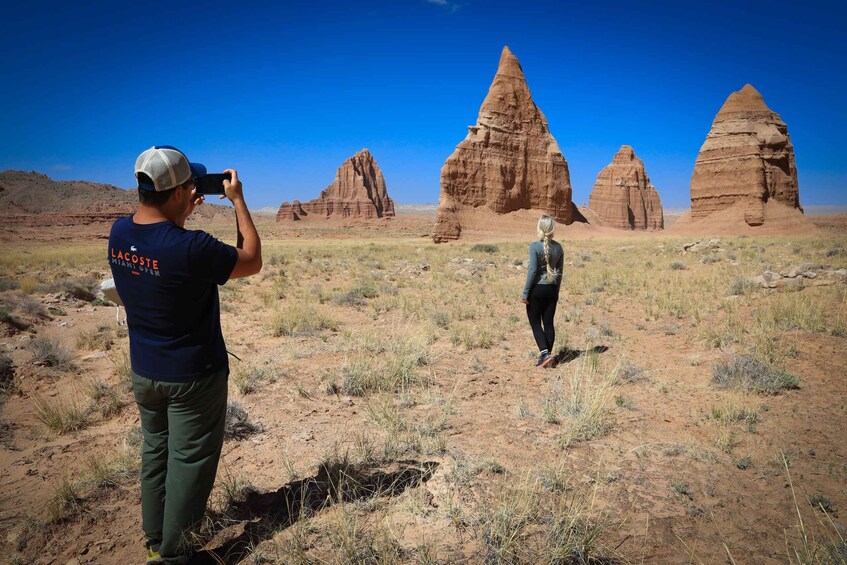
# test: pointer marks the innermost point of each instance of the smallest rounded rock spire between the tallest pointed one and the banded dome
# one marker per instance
(623, 196)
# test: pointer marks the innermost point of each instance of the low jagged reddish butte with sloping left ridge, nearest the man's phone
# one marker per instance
(358, 191)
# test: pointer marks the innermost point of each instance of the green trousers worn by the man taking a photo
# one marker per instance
(183, 428)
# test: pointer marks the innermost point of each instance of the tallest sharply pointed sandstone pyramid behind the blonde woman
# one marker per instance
(508, 161)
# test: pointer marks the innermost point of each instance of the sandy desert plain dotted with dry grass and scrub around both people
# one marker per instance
(385, 407)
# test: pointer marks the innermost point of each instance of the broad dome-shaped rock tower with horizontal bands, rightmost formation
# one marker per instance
(747, 159)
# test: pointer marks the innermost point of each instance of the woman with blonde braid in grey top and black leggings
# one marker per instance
(541, 291)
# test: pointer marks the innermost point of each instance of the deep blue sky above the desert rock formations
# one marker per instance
(286, 91)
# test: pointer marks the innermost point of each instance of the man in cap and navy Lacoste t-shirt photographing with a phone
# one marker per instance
(167, 278)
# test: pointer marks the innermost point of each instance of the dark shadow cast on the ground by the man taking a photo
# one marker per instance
(260, 516)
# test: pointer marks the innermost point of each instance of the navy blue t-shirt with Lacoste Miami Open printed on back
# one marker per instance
(167, 278)
